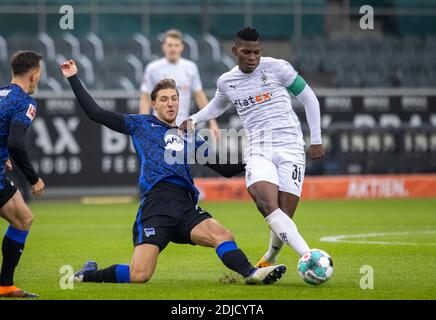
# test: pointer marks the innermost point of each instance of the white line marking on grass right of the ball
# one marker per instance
(346, 238)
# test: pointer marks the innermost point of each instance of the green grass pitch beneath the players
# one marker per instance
(404, 268)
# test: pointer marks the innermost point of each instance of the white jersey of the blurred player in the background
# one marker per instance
(184, 72)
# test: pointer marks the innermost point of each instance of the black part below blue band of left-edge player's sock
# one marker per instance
(11, 251)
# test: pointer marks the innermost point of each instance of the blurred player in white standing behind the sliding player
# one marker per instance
(183, 71)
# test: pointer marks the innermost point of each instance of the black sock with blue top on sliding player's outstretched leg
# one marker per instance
(234, 258)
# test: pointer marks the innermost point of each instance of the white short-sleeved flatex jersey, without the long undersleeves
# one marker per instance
(263, 102)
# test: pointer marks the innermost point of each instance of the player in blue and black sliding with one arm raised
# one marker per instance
(168, 211)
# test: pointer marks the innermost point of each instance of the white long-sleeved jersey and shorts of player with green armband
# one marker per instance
(275, 149)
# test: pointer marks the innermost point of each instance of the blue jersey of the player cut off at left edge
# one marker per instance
(16, 106)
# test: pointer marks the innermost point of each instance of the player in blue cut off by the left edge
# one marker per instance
(17, 111)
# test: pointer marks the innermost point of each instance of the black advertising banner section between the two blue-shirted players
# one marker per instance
(67, 149)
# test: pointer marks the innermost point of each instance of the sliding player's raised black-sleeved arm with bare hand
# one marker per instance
(112, 120)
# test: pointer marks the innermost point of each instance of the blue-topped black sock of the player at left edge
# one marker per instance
(12, 248)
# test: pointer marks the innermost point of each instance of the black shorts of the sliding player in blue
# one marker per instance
(167, 214)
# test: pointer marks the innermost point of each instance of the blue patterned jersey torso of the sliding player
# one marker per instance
(162, 154)
